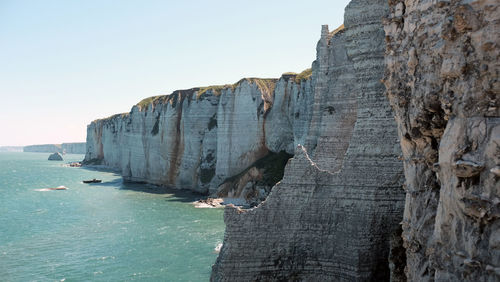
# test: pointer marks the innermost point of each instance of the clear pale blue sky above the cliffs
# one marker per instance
(66, 63)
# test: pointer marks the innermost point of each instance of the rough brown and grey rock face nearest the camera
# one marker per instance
(443, 82)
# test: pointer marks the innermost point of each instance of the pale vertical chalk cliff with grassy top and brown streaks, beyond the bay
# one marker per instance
(206, 139)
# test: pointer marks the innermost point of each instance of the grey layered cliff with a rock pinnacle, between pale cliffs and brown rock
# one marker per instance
(340, 202)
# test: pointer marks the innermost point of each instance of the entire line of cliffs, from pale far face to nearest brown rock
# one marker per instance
(340, 213)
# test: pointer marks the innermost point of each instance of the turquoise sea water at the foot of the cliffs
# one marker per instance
(99, 232)
